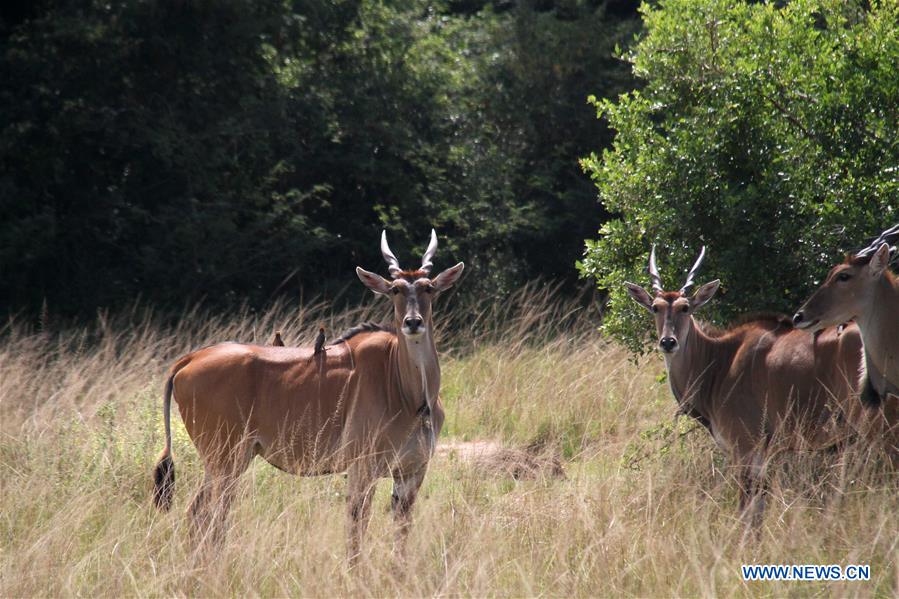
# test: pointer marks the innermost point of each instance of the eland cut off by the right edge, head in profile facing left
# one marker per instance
(864, 289)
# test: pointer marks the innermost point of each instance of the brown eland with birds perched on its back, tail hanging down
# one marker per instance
(368, 406)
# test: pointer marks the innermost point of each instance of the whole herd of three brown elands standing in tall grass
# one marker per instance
(368, 403)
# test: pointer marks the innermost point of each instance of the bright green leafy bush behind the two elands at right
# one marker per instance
(767, 132)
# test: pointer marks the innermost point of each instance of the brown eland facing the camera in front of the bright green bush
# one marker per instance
(759, 386)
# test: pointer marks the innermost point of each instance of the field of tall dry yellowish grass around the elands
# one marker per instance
(646, 508)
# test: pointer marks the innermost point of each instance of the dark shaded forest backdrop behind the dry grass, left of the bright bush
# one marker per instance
(237, 150)
